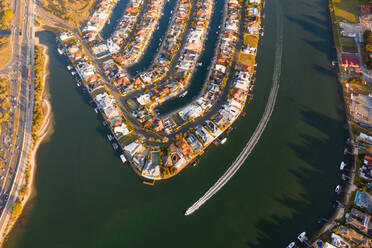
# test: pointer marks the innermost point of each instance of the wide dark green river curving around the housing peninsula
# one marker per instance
(85, 196)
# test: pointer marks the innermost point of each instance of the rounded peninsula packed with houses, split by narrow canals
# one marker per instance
(160, 147)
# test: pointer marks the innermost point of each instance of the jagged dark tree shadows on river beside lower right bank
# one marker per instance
(313, 151)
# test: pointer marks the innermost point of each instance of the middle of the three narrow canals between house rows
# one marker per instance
(148, 57)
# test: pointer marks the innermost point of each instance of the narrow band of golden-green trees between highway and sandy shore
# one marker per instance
(38, 114)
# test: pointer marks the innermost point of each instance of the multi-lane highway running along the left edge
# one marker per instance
(21, 111)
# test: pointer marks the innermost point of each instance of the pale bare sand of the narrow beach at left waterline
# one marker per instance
(43, 132)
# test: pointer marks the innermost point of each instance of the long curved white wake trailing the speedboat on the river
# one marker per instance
(258, 131)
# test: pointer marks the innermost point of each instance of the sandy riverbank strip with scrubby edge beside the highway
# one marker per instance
(27, 189)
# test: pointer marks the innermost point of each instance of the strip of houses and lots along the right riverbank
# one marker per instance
(351, 225)
